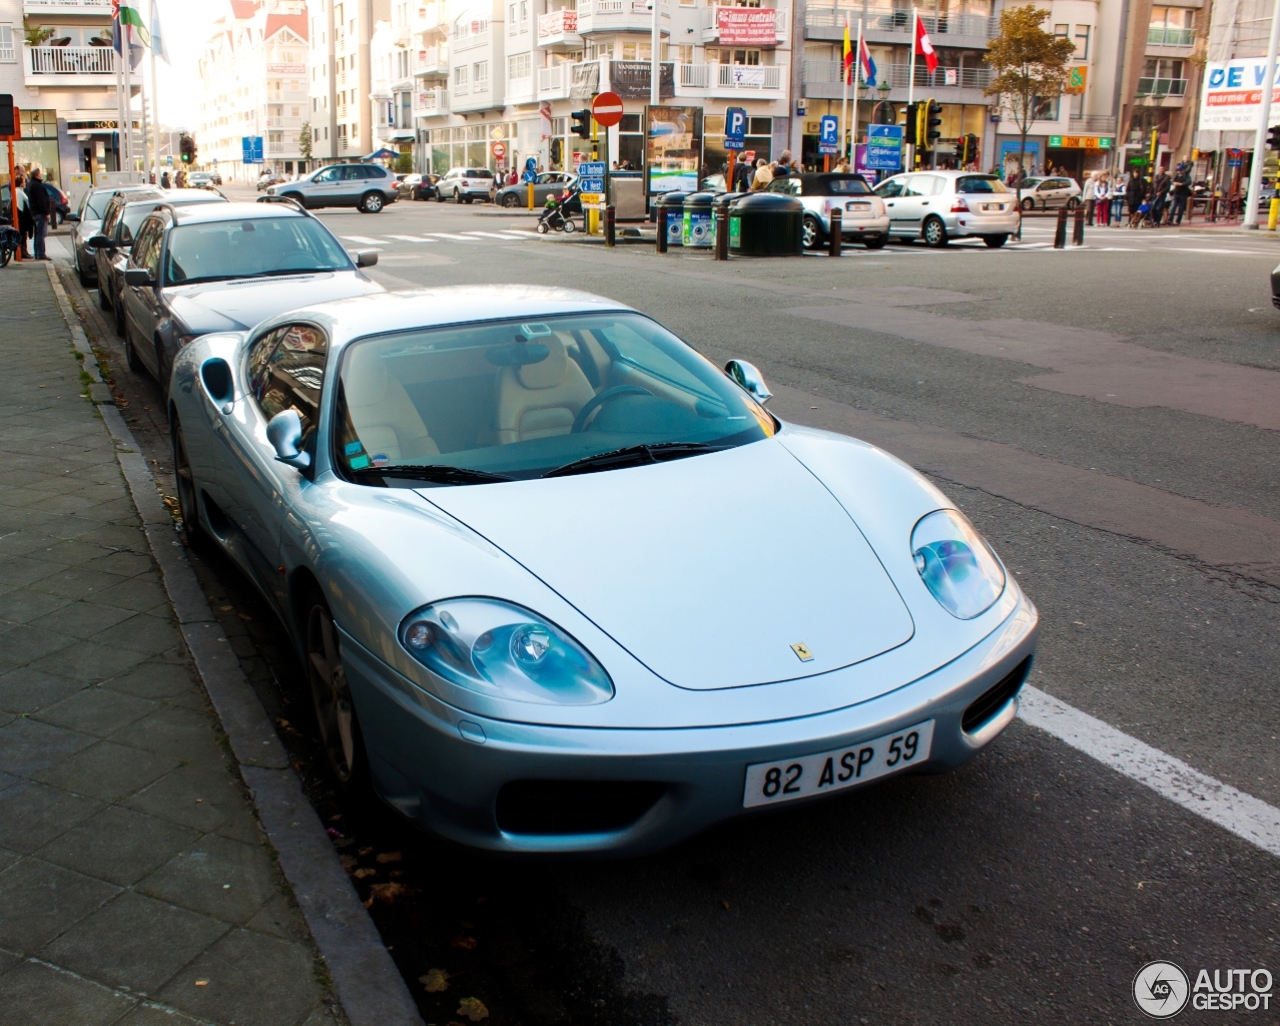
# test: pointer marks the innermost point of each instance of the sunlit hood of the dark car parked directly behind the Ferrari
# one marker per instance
(236, 306)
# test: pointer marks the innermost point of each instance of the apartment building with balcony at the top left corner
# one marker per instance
(58, 63)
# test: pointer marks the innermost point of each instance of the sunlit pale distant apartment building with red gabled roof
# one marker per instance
(254, 80)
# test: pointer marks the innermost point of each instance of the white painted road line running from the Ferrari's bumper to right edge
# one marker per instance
(1246, 817)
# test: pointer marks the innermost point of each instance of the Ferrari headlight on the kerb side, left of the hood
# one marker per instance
(504, 651)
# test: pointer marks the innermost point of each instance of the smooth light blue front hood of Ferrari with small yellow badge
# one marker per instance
(707, 570)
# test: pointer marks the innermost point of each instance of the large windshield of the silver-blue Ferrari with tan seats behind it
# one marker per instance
(524, 399)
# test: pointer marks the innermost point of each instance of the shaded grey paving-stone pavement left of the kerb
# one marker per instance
(136, 886)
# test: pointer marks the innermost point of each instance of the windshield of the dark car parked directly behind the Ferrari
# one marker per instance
(252, 249)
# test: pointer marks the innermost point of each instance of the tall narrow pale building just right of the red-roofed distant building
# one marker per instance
(340, 76)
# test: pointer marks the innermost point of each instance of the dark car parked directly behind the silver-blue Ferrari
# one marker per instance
(200, 269)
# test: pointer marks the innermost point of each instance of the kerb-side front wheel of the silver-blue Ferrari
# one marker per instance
(331, 699)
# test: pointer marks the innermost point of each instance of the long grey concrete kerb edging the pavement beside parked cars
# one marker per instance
(369, 986)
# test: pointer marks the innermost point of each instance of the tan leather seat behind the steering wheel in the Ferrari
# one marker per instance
(541, 400)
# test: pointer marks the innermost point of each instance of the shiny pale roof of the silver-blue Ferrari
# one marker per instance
(436, 308)
